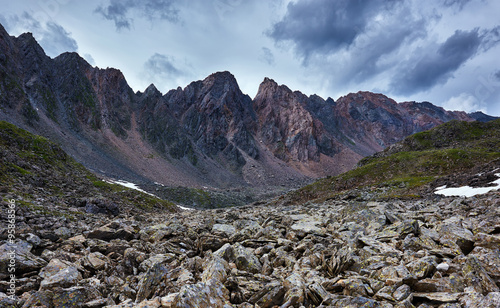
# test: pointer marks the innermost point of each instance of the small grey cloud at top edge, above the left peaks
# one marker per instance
(121, 12)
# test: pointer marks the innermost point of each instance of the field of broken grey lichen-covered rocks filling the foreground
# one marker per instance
(431, 253)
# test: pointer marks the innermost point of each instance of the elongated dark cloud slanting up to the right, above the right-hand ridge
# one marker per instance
(437, 67)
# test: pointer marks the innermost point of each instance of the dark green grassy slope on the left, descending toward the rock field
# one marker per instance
(32, 167)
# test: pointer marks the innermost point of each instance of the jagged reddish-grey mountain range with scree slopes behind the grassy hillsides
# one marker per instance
(207, 134)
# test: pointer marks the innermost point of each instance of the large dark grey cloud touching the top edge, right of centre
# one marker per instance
(323, 26)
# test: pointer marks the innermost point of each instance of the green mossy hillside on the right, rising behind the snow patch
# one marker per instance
(402, 169)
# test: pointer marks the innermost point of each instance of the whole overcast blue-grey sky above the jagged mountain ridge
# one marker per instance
(443, 51)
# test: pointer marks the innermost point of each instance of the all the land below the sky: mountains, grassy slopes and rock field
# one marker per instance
(381, 223)
